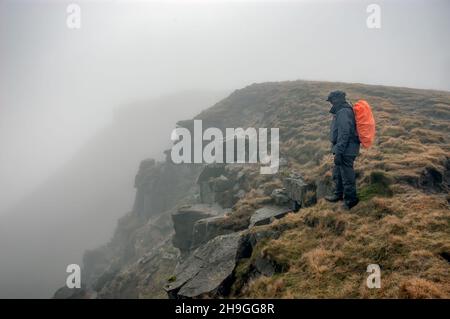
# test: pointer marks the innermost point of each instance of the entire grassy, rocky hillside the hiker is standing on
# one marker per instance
(203, 231)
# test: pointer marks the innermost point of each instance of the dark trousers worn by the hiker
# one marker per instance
(344, 179)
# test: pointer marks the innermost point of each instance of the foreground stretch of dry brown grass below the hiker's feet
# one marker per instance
(404, 235)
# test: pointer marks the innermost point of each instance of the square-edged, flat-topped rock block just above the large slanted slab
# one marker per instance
(184, 220)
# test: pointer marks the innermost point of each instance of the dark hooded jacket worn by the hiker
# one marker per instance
(343, 134)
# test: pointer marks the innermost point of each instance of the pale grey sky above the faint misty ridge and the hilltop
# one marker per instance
(58, 86)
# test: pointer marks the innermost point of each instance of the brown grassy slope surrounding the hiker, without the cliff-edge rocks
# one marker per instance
(403, 221)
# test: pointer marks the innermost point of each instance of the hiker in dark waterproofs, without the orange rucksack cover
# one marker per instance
(345, 147)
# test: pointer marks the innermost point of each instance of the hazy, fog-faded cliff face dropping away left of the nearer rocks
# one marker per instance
(114, 270)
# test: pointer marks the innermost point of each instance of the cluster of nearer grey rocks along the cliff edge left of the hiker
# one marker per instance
(210, 249)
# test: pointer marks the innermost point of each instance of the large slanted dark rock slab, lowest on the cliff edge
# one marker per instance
(205, 272)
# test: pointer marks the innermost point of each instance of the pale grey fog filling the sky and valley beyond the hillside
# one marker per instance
(79, 108)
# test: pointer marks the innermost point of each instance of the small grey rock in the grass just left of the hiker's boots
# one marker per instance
(300, 191)
